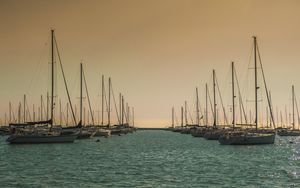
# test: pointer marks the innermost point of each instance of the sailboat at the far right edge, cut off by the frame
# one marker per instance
(293, 131)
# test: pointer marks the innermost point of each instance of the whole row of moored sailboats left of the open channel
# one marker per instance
(47, 131)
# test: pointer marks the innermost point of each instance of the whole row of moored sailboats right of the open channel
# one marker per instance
(236, 133)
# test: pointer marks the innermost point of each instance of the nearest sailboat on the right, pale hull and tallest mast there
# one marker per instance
(252, 136)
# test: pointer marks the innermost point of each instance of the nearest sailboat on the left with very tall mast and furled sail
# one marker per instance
(48, 135)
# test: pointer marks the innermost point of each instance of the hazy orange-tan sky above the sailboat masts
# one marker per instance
(156, 51)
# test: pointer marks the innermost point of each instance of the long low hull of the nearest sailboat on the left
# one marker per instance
(40, 139)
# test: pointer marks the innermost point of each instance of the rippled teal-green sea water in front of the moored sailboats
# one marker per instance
(150, 159)
